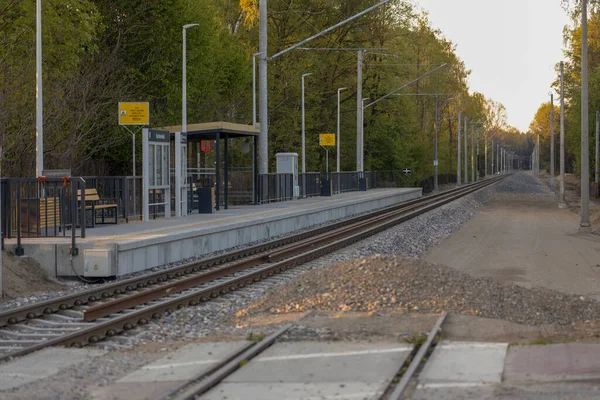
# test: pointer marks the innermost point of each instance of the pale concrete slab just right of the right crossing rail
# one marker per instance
(464, 364)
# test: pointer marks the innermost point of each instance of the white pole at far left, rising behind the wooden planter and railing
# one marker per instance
(39, 125)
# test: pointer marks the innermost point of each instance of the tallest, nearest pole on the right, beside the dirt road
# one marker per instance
(584, 225)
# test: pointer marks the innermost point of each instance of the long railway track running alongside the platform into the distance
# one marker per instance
(93, 315)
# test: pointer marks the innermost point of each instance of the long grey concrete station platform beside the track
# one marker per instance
(138, 246)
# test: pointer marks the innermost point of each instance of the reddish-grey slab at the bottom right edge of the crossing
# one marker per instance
(553, 362)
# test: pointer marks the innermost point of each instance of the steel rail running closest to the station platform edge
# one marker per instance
(13, 316)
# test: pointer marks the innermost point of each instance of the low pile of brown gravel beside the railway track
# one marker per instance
(408, 285)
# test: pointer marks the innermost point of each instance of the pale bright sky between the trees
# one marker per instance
(511, 47)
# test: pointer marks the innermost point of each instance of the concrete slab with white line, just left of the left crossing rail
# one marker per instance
(185, 363)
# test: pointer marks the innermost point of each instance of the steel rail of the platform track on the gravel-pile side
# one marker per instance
(127, 321)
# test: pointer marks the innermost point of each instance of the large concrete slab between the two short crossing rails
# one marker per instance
(307, 370)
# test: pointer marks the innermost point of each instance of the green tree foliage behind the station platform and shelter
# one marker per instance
(100, 52)
